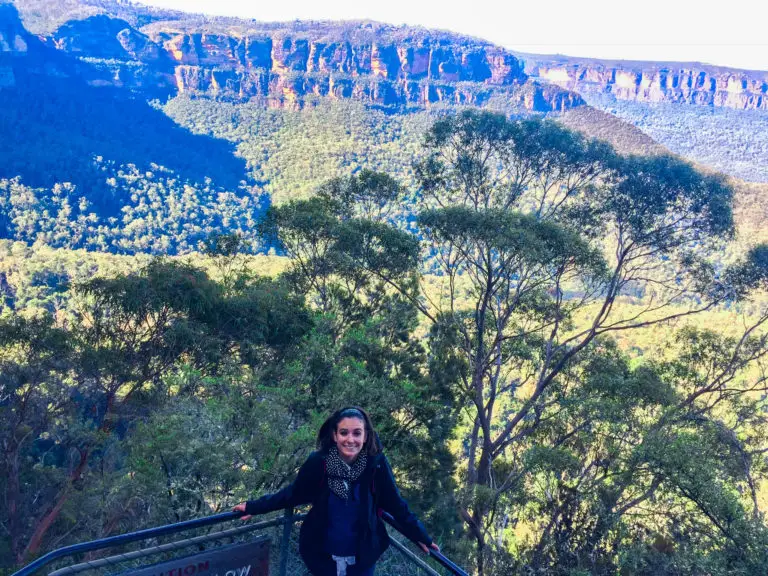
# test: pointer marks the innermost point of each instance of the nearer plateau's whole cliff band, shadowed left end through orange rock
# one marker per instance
(286, 67)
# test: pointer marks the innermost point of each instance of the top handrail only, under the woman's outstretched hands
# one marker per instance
(189, 525)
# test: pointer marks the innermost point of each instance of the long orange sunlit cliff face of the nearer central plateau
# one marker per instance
(284, 70)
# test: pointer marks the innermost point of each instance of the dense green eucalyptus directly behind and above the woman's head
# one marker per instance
(344, 253)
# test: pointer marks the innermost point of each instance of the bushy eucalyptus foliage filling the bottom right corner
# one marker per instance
(652, 468)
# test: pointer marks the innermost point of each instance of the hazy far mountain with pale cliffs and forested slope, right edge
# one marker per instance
(714, 115)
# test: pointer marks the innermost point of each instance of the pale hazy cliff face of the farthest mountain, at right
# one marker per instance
(678, 83)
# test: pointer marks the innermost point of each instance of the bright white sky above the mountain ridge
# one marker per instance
(726, 33)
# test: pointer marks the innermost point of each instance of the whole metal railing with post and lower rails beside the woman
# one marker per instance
(287, 521)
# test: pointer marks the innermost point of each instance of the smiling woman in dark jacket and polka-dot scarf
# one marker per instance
(348, 481)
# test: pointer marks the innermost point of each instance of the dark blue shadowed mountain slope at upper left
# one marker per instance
(59, 112)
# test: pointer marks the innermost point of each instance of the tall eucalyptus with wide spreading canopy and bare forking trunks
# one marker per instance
(538, 233)
